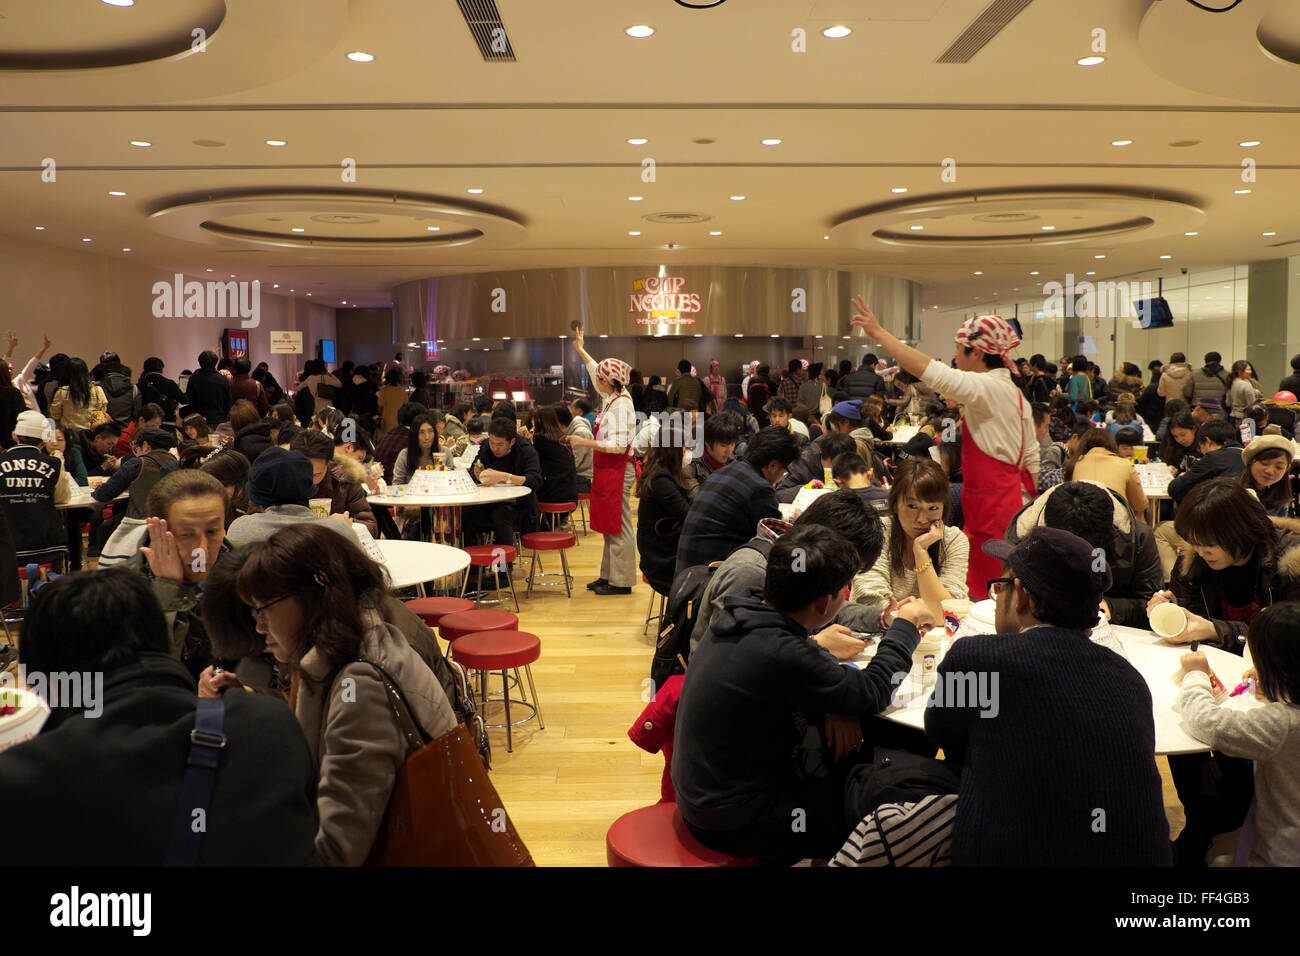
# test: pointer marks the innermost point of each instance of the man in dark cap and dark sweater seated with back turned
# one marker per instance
(1041, 702)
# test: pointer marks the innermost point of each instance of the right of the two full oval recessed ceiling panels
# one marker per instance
(1029, 218)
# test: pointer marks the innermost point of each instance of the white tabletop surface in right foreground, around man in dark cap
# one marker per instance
(1156, 660)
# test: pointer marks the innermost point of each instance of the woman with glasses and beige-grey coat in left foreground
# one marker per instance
(326, 613)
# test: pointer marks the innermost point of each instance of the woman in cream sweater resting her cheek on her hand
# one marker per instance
(924, 556)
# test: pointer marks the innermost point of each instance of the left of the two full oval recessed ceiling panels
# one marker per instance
(336, 220)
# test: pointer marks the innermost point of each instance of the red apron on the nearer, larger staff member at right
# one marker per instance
(991, 496)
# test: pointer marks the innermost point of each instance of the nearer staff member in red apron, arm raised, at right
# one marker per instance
(1000, 449)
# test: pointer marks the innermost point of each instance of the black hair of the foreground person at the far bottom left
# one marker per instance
(94, 621)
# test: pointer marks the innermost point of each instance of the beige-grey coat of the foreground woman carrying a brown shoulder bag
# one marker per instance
(356, 738)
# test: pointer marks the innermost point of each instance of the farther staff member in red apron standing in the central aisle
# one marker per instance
(613, 473)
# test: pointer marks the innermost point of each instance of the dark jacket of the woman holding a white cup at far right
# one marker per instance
(1279, 579)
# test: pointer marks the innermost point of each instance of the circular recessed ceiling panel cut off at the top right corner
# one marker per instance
(1251, 53)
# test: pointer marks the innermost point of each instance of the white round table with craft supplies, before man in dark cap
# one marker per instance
(1158, 660)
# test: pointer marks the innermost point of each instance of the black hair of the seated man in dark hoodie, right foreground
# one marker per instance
(811, 561)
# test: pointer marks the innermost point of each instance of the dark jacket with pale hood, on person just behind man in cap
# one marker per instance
(1134, 561)
